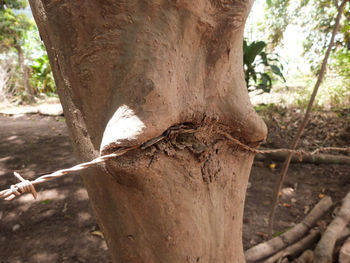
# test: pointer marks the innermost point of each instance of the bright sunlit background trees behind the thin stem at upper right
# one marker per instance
(305, 27)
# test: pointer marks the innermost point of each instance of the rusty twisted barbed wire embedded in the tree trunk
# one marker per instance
(26, 186)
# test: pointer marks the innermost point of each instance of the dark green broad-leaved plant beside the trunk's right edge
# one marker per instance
(260, 66)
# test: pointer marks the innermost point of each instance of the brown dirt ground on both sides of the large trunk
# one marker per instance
(59, 225)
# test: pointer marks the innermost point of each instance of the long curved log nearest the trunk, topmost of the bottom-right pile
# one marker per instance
(274, 245)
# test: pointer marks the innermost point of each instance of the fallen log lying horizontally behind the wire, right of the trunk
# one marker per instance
(320, 158)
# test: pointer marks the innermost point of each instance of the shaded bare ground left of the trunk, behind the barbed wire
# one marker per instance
(58, 226)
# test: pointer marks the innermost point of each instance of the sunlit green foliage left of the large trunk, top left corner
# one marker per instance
(19, 36)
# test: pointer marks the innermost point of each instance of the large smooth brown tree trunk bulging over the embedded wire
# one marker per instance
(127, 71)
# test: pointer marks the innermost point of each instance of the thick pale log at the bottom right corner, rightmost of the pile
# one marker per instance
(324, 249)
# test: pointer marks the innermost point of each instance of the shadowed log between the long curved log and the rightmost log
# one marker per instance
(296, 248)
